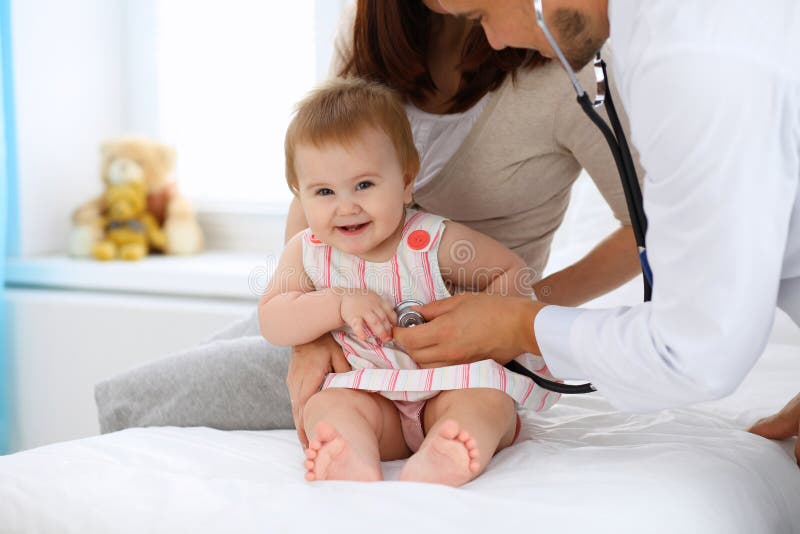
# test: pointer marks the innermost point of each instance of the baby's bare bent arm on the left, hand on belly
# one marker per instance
(291, 312)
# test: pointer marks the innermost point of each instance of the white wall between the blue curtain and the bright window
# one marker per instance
(69, 88)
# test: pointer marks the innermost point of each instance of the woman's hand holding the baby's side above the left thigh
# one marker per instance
(309, 365)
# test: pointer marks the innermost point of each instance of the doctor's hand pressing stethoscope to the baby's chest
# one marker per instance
(471, 327)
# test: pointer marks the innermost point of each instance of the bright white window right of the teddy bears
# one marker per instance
(228, 75)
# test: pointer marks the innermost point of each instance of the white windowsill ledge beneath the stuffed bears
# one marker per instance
(213, 274)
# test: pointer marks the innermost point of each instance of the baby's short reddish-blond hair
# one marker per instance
(338, 112)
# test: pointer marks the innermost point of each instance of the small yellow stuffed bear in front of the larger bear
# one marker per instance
(129, 230)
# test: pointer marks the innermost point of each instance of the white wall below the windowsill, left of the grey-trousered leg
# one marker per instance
(63, 342)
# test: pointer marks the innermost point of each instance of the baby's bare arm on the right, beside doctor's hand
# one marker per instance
(472, 261)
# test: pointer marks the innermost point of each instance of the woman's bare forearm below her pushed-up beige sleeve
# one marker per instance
(607, 266)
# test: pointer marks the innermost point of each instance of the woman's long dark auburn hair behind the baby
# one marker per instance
(390, 46)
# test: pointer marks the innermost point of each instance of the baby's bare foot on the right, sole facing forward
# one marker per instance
(447, 456)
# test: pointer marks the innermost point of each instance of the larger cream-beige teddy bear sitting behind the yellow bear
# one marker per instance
(131, 159)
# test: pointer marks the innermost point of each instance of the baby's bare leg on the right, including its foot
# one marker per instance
(464, 428)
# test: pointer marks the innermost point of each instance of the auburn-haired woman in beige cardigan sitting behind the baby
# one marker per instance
(501, 142)
